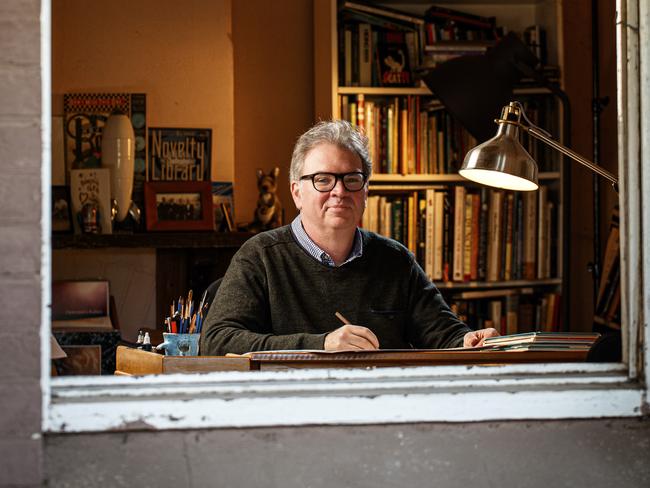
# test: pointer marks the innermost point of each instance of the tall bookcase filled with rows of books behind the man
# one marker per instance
(494, 254)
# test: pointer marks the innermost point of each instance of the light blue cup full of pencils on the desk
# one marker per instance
(183, 327)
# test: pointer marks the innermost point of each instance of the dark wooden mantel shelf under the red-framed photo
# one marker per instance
(155, 240)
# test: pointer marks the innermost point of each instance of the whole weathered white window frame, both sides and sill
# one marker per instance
(391, 395)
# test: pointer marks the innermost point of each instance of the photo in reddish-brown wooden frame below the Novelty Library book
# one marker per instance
(179, 205)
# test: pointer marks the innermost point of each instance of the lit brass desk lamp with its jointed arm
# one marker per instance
(502, 162)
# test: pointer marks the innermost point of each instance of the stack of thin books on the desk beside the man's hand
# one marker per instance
(543, 341)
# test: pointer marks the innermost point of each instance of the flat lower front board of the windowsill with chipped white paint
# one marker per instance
(323, 409)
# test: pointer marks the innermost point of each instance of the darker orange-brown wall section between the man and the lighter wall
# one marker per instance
(274, 92)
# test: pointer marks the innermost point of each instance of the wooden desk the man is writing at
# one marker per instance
(137, 362)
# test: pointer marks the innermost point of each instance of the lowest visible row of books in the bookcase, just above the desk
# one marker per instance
(515, 311)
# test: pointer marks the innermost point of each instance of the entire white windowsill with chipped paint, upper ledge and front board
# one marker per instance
(321, 397)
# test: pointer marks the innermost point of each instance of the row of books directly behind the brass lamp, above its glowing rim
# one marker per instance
(413, 134)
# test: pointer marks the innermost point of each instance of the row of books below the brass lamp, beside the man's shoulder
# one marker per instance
(465, 234)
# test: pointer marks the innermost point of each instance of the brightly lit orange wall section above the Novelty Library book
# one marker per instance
(178, 53)
